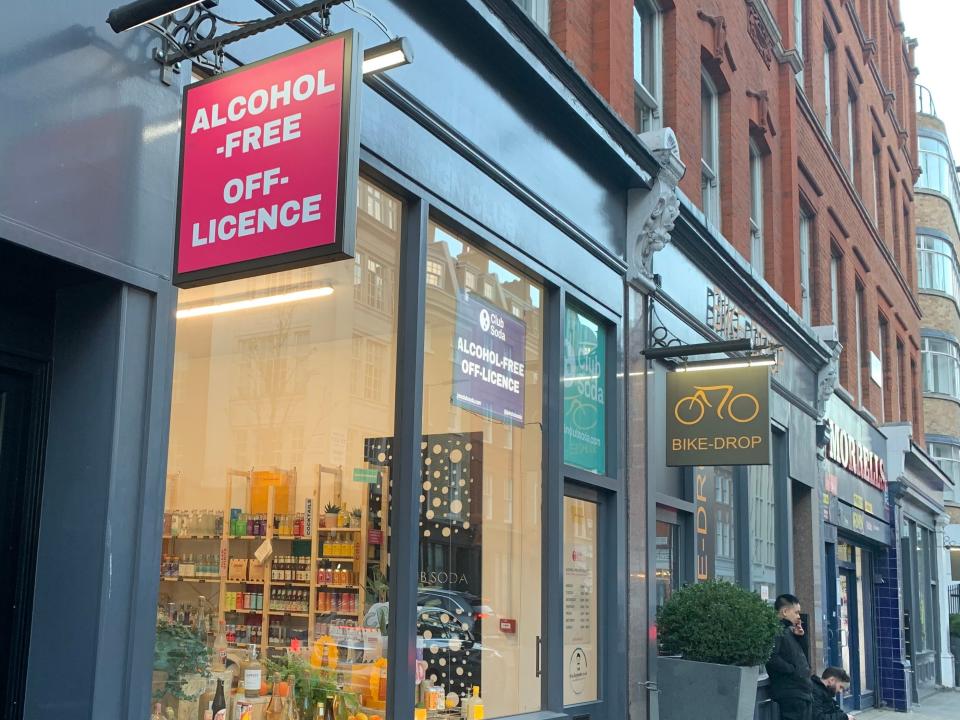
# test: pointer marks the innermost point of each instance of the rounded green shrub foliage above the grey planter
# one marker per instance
(717, 622)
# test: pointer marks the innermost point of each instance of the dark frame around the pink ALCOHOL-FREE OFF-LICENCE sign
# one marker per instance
(342, 245)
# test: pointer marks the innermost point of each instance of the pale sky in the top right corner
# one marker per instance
(934, 23)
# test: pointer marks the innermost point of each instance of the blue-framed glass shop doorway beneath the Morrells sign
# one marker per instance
(855, 646)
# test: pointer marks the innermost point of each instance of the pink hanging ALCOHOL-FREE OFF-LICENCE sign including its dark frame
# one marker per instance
(268, 165)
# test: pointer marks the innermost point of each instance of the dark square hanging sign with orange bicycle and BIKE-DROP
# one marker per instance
(718, 417)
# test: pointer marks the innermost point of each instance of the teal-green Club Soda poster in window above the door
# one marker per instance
(584, 393)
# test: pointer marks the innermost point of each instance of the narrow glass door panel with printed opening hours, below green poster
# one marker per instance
(579, 601)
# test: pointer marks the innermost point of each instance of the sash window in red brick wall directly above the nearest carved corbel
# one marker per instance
(647, 64)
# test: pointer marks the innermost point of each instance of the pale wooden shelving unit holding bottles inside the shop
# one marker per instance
(245, 546)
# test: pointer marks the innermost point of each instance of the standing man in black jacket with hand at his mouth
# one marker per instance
(788, 667)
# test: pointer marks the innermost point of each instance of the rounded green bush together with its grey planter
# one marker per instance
(716, 635)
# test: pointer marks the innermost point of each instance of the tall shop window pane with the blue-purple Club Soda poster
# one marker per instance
(480, 528)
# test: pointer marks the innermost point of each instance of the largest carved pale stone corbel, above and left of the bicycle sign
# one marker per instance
(651, 213)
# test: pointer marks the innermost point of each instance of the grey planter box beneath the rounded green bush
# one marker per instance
(691, 690)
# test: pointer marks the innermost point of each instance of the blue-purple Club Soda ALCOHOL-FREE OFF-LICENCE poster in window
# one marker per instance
(488, 360)
